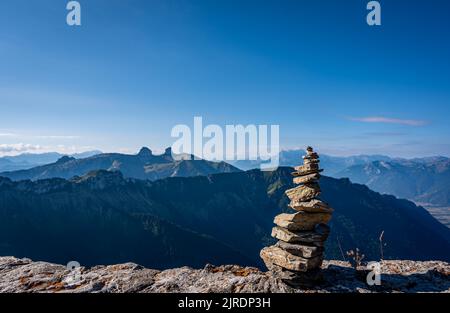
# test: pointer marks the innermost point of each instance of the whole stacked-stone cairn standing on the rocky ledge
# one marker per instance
(297, 257)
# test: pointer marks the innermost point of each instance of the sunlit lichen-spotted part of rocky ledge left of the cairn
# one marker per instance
(25, 276)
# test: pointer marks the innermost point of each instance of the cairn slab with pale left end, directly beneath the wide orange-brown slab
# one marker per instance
(316, 237)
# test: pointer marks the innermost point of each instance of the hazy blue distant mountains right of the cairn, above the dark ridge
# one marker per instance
(425, 181)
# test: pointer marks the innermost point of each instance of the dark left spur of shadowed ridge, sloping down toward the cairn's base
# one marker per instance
(97, 220)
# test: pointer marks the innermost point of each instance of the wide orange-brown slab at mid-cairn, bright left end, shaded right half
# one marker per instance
(301, 220)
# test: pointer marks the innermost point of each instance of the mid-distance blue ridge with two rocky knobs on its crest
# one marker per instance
(144, 165)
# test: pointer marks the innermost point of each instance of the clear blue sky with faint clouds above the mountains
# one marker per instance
(135, 69)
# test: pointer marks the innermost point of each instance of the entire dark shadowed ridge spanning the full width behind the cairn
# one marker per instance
(102, 218)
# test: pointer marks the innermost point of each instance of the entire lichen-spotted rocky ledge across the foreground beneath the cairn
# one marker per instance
(24, 275)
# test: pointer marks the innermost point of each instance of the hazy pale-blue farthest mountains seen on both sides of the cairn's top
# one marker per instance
(425, 181)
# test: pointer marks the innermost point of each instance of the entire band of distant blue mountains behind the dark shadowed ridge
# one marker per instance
(425, 181)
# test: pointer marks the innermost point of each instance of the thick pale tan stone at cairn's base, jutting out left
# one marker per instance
(276, 255)
